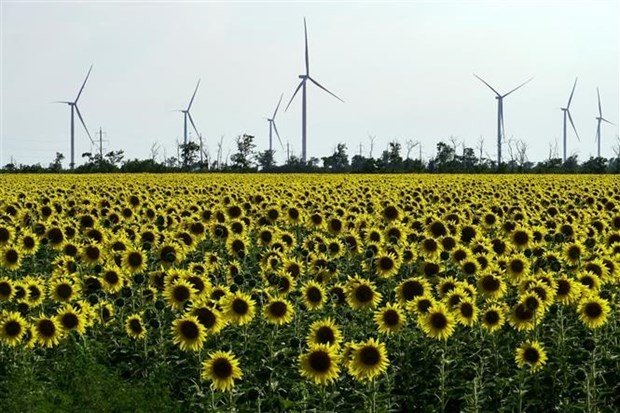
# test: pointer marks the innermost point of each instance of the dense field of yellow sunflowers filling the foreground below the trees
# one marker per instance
(299, 293)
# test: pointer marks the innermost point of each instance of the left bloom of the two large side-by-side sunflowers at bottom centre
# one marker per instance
(320, 364)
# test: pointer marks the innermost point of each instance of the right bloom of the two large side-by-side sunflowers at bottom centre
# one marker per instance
(367, 360)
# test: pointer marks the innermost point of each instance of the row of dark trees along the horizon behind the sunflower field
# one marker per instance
(451, 157)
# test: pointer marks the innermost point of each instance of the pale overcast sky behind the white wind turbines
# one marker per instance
(403, 69)
